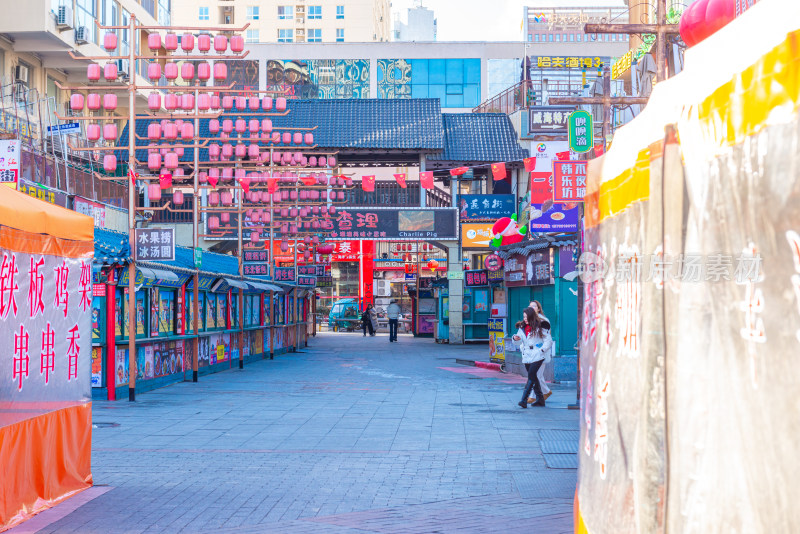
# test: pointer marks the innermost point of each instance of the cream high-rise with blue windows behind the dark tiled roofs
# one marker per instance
(291, 21)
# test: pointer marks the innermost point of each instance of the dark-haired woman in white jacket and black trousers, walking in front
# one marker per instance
(533, 338)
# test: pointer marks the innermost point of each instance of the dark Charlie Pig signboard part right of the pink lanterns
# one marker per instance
(393, 223)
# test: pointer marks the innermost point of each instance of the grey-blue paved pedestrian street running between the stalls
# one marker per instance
(353, 435)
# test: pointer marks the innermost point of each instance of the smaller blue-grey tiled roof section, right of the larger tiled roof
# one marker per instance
(479, 137)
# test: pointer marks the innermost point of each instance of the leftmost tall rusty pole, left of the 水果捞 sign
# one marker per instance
(132, 219)
